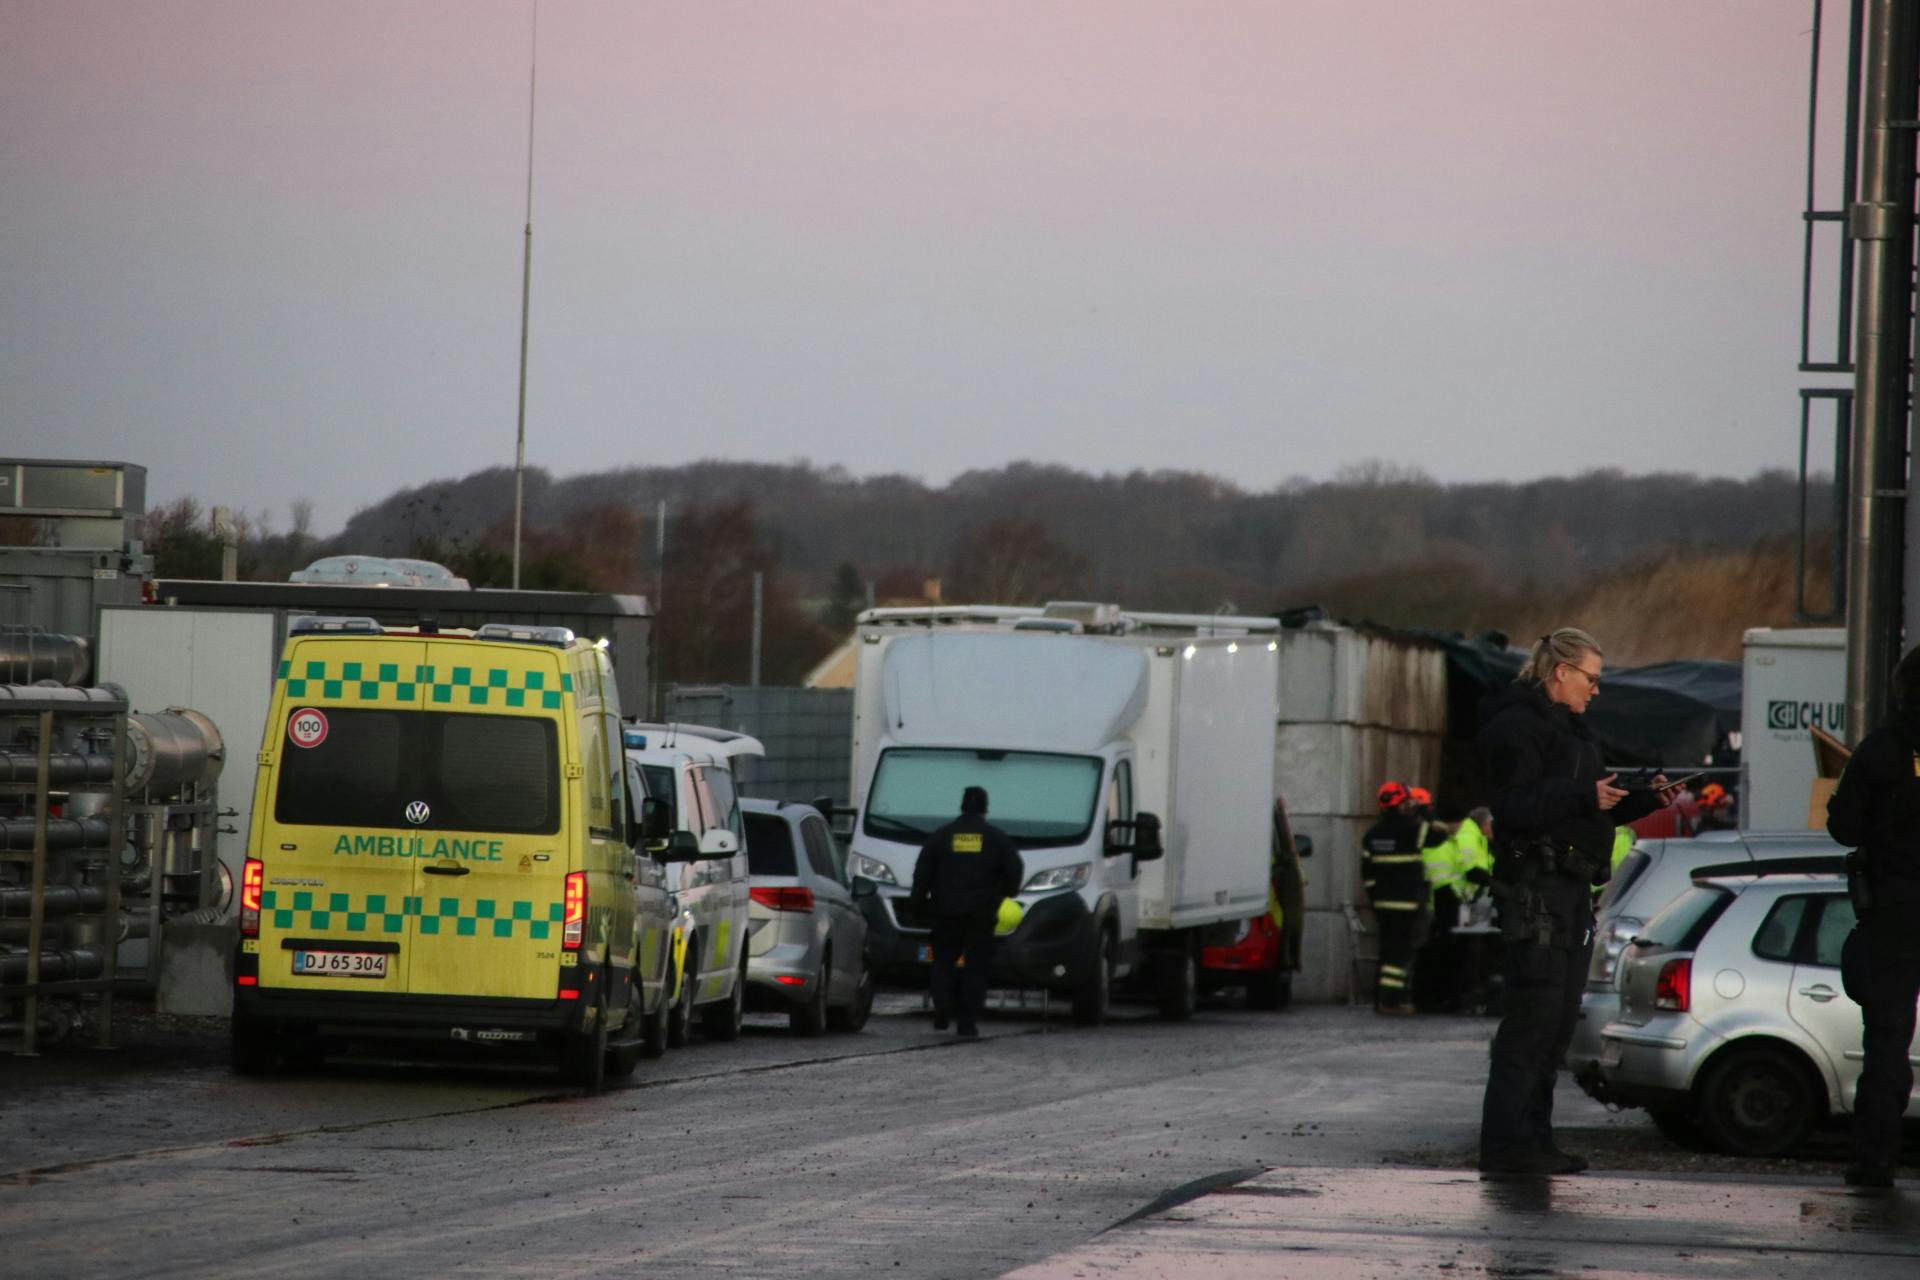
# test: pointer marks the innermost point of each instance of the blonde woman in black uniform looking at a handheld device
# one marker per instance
(1554, 818)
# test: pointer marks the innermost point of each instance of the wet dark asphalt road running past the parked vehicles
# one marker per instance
(896, 1152)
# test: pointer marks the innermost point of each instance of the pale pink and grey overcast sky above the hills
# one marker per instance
(272, 250)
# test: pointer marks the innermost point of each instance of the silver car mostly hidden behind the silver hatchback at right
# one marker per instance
(1643, 886)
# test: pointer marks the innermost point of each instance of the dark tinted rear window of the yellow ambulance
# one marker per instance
(423, 772)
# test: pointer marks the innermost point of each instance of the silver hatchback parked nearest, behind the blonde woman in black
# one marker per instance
(1735, 1031)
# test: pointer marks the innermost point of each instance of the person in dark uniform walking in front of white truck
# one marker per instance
(965, 872)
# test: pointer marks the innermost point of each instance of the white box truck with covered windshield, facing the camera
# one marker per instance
(1082, 742)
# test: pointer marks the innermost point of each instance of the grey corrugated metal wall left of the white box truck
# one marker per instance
(807, 736)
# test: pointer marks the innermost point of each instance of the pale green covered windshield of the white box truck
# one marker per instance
(1034, 797)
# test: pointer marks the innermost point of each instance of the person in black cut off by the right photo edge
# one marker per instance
(1877, 809)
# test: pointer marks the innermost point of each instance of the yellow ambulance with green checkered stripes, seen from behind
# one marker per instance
(450, 847)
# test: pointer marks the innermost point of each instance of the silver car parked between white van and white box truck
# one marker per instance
(805, 932)
